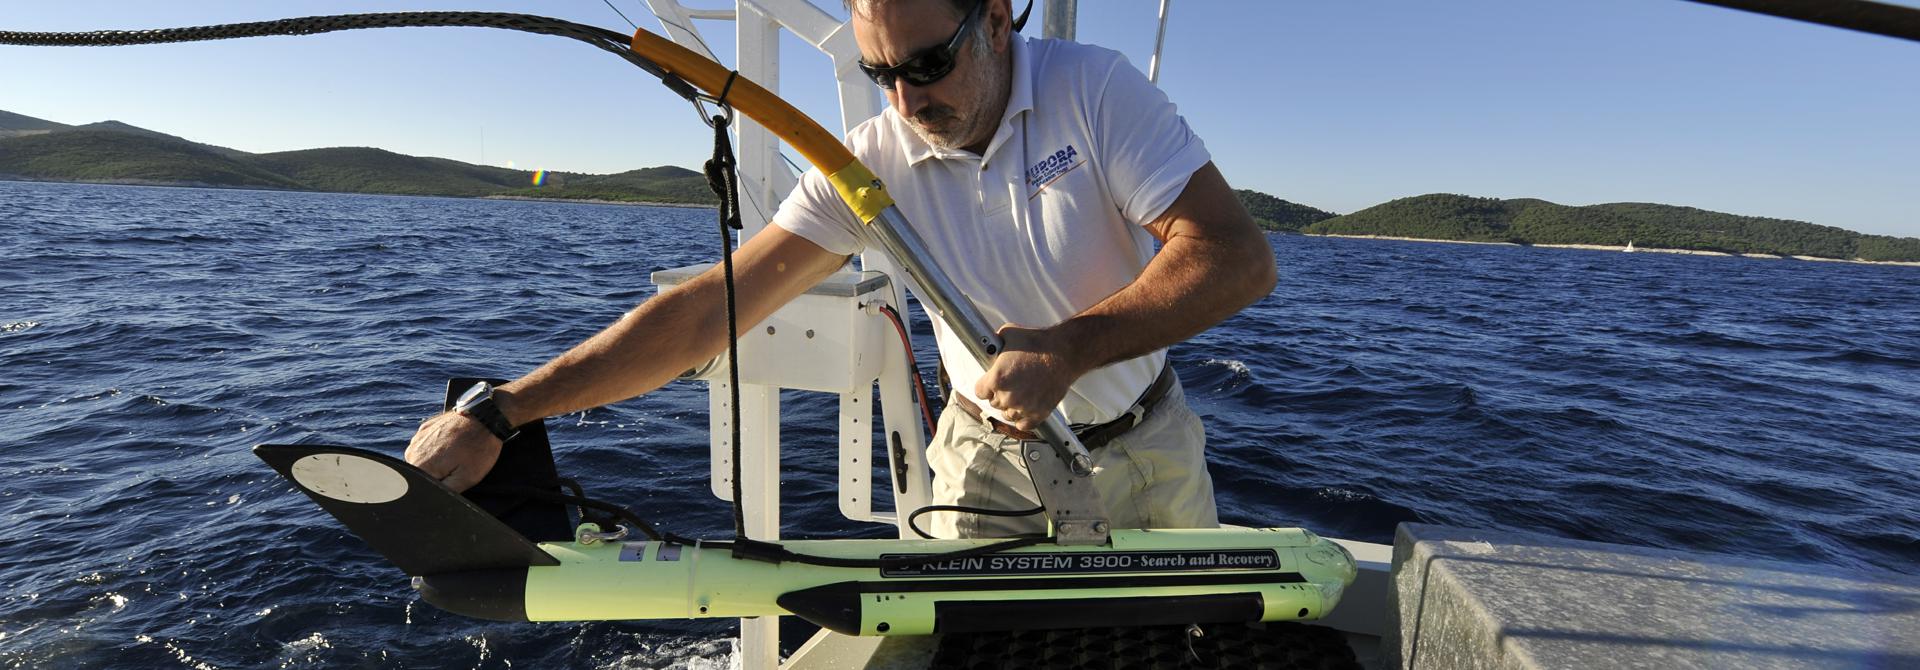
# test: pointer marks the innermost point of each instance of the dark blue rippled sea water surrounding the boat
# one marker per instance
(151, 337)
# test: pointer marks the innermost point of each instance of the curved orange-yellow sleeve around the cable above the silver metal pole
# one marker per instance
(853, 181)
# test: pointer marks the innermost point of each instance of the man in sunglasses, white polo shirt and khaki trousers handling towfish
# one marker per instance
(1042, 174)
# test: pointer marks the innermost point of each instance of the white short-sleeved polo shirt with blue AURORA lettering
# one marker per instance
(1049, 222)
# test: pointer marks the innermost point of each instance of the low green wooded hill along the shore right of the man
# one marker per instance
(1646, 226)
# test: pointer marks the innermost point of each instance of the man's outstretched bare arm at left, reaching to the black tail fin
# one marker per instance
(644, 350)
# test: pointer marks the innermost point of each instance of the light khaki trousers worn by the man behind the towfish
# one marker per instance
(1151, 477)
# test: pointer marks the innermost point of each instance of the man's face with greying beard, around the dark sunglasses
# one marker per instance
(963, 108)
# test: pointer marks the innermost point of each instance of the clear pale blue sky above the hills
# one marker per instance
(1332, 105)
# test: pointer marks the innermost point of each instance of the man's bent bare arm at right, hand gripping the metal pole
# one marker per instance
(1214, 260)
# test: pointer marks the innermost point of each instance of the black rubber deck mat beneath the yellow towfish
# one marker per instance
(1278, 646)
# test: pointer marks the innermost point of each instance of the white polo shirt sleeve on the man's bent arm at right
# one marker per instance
(1149, 151)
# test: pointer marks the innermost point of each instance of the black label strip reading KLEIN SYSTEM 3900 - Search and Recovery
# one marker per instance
(1088, 563)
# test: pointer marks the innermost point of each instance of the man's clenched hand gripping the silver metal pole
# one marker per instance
(1030, 377)
